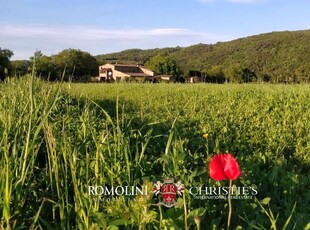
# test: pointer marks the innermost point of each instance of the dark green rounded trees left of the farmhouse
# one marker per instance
(69, 64)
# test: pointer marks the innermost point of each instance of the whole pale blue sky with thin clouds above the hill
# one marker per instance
(105, 26)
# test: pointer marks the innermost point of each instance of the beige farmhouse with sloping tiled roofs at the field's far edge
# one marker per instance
(121, 72)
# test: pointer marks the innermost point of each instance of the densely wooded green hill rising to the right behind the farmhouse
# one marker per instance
(274, 57)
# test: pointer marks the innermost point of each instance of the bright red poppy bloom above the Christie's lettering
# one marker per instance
(224, 166)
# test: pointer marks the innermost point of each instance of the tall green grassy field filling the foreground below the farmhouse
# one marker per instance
(56, 140)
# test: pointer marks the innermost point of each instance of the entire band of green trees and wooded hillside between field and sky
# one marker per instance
(278, 57)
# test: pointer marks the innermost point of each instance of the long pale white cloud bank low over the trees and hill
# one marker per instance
(24, 40)
